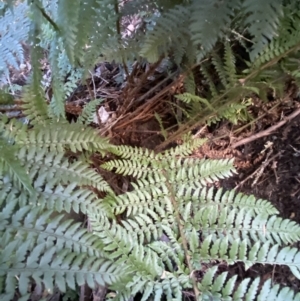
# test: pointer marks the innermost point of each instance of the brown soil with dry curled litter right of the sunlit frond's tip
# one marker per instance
(268, 168)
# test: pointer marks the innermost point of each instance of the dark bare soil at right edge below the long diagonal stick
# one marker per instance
(278, 182)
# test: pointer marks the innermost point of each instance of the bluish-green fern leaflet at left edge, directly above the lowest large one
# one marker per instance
(43, 226)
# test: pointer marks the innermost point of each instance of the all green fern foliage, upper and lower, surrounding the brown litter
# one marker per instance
(171, 223)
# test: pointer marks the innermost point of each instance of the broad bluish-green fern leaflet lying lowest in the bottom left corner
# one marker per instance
(45, 264)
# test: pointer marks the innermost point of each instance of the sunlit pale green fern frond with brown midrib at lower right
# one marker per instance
(247, 229)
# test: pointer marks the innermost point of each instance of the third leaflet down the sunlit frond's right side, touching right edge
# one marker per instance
(244, 223)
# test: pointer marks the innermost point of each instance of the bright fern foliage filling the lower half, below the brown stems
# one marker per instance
(171, 222)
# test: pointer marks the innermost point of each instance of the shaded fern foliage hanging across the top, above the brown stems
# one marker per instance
(77, 32)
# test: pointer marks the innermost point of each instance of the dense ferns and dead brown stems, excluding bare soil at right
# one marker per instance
(168, 231)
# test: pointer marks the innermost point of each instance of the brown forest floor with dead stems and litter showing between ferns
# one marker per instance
(268, 166)
